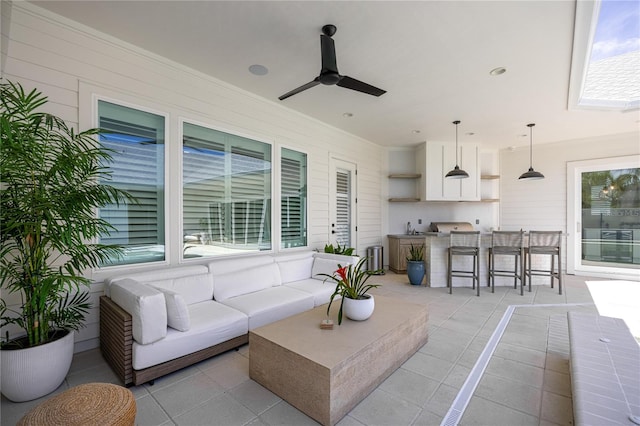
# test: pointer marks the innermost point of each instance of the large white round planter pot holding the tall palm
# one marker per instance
(34, 372)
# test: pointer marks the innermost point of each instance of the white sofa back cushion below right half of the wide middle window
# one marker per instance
(248, 280)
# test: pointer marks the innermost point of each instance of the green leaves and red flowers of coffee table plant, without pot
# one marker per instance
(351, 282)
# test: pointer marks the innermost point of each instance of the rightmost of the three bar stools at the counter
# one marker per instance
(544, 243)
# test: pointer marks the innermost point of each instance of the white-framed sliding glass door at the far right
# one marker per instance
(604, 201)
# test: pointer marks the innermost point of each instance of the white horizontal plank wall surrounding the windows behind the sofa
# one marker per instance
(69, 62)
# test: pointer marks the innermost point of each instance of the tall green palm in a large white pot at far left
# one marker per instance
(50, 189)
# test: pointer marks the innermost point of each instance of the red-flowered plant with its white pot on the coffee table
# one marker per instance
(351, 285)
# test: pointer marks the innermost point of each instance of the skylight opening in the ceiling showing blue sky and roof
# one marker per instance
(610, 35)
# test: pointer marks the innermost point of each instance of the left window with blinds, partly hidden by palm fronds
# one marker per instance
(136, 139)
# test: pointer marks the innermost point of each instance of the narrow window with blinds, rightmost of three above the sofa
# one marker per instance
(293, 199)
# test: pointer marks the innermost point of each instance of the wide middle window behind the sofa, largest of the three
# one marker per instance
(226, 193)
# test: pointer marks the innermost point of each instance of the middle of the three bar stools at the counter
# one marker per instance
(507, 243)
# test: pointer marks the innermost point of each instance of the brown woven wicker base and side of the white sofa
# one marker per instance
(116, 345)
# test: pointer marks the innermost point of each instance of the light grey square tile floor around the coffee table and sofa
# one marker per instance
(526, 380)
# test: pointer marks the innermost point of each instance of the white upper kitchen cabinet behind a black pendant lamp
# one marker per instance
(435, 159)
